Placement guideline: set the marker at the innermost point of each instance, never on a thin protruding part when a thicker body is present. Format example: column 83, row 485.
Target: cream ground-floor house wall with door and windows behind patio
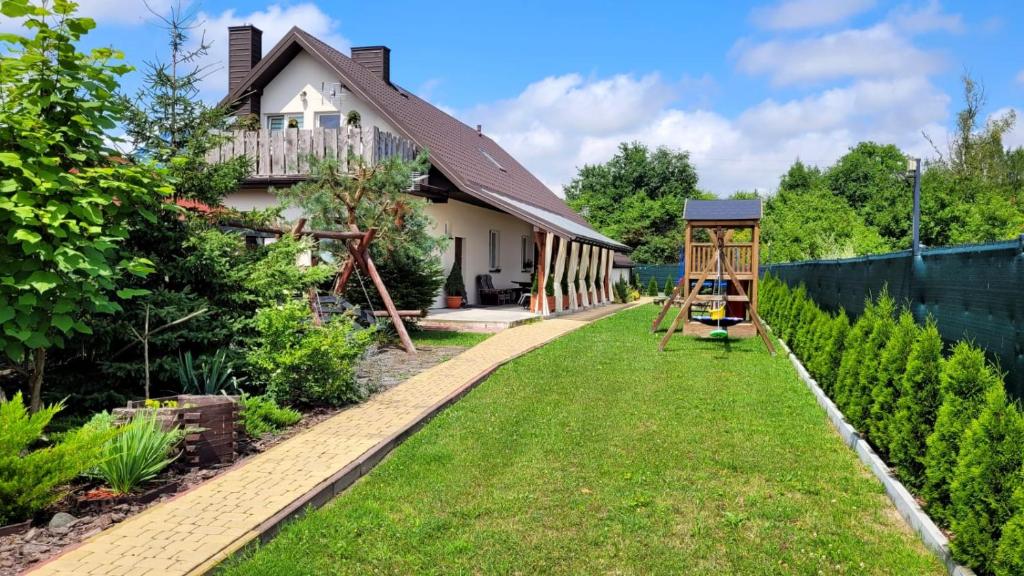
column 475, row 224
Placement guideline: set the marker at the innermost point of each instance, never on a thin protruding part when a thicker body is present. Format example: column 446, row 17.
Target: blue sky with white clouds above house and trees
column 747, row 88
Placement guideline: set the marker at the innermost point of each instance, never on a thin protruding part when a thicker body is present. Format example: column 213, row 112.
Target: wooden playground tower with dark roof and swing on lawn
column 734, row 298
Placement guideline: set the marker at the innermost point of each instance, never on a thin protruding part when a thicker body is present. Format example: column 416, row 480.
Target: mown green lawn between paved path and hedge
column 598, row 455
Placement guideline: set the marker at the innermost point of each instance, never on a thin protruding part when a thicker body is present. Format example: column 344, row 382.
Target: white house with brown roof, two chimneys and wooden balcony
column 309, row 98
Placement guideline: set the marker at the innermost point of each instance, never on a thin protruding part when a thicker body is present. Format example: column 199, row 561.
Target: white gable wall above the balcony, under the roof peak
column 304, row 74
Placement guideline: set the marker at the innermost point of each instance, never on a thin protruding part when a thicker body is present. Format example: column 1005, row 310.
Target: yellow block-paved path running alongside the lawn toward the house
column 195, row 531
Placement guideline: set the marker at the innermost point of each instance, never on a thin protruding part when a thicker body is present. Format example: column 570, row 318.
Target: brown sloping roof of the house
column 456, row 150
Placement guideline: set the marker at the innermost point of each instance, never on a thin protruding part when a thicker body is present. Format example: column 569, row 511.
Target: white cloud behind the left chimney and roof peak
column 275, row 21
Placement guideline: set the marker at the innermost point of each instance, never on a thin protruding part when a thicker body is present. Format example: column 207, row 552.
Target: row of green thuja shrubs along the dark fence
column 942, row 419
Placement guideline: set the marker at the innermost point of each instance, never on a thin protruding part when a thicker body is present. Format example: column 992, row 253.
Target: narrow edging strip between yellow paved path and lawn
column 347, row 477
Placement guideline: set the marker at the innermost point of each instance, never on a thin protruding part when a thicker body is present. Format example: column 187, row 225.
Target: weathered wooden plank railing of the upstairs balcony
column 284, row 154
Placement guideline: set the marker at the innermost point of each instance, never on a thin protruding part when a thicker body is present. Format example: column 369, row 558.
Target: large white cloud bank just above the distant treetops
column 746, row 152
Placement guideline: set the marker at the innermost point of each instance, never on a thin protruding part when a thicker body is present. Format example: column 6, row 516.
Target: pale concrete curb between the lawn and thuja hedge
column 909, row 509
